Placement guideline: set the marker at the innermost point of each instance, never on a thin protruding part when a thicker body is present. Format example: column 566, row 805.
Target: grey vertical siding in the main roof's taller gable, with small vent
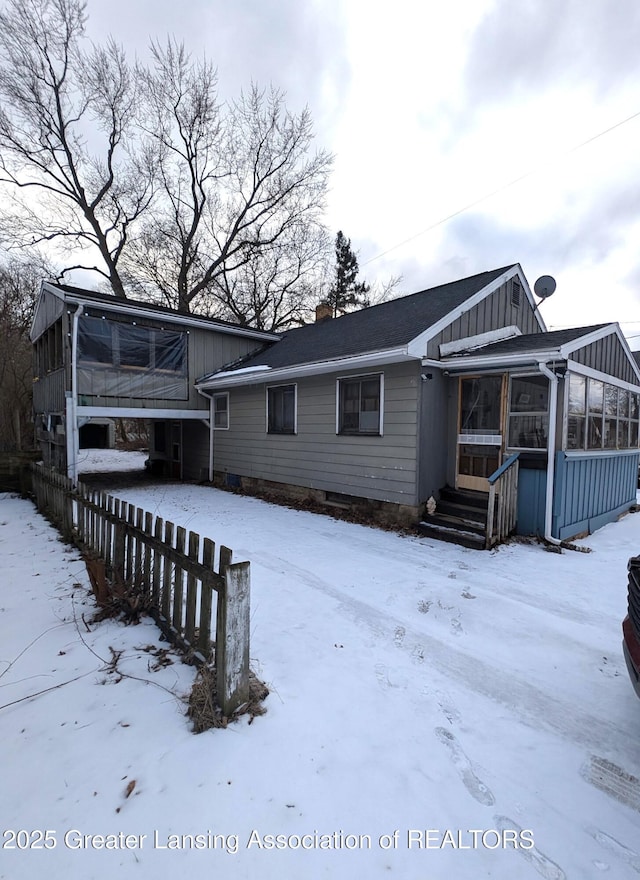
column 493, row 312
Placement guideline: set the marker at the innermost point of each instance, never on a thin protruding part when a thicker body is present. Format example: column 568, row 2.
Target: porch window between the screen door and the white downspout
column 529, row 412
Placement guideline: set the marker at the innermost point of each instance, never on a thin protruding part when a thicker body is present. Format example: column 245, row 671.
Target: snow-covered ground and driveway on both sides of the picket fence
column 435, row 712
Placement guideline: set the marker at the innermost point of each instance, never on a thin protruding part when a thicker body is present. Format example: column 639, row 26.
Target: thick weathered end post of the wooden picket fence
column 232, row 638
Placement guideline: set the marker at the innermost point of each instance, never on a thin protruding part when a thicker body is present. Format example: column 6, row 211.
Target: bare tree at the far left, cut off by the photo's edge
column 66, row 123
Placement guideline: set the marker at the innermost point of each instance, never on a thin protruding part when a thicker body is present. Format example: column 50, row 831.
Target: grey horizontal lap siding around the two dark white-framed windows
column 380, row 468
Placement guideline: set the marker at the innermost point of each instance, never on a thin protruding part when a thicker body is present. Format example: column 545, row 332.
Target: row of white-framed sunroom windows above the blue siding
column 601, row 415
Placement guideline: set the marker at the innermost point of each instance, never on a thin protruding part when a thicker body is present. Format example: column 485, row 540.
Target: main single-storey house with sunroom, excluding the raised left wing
column 428, row 398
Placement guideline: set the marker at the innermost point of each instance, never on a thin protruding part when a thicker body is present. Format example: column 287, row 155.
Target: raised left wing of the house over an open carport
column 97, row 358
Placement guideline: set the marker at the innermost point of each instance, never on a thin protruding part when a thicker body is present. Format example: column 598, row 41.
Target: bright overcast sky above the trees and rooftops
column 432, row 107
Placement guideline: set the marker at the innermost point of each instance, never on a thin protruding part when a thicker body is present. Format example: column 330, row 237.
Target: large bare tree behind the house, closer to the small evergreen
column 240, row 192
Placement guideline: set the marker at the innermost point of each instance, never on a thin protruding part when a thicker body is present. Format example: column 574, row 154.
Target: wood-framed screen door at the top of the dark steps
column 480, row 430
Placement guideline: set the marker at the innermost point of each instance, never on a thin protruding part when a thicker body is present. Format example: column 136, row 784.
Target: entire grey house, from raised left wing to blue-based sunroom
column 431, row 408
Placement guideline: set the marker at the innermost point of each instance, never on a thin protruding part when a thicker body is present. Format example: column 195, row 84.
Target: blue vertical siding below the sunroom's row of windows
column 592, row 490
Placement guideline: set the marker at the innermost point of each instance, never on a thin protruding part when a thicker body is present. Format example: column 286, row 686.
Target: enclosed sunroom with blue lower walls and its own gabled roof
column 564, row 406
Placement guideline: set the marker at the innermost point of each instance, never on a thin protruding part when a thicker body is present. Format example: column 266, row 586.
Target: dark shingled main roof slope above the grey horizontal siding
column 377, row 328
